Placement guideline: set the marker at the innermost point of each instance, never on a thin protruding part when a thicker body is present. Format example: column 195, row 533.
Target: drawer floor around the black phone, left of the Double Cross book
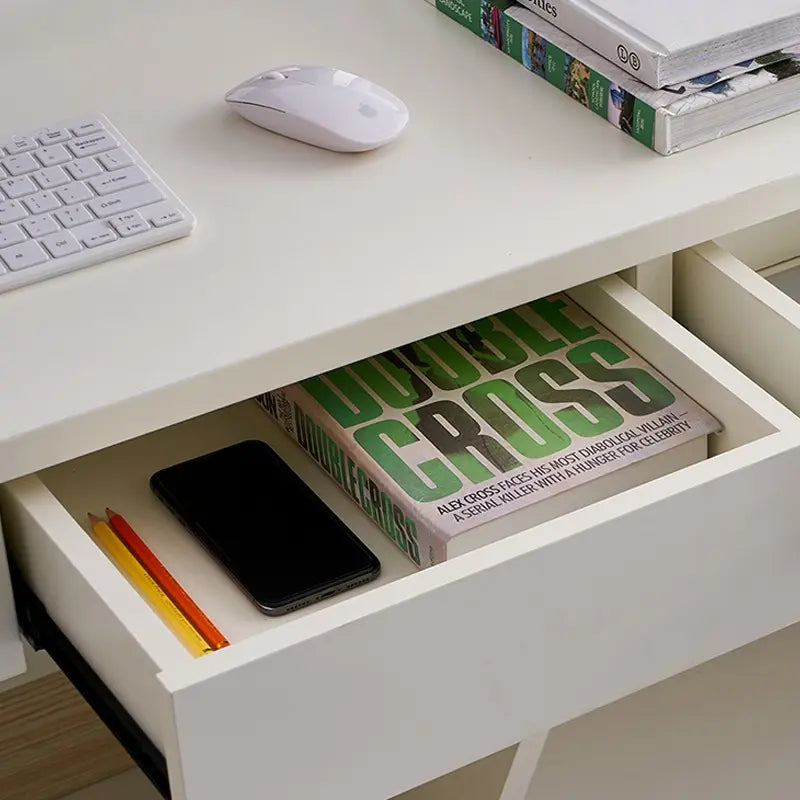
column 118, row 477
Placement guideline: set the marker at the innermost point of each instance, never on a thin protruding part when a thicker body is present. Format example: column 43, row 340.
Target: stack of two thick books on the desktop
column 672, row 75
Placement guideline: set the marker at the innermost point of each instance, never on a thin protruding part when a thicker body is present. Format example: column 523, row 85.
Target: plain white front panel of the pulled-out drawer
column 441, row 679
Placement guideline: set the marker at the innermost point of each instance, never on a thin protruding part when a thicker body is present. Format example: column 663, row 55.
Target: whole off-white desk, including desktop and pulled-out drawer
column 502, row 190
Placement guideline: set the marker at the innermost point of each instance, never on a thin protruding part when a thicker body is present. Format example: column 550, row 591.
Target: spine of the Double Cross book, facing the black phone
column 333, row 454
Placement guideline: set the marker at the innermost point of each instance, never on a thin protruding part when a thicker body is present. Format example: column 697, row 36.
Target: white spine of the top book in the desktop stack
column 637, row 58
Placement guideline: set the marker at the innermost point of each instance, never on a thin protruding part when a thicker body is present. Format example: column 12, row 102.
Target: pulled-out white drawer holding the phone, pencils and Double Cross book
column 381, row 689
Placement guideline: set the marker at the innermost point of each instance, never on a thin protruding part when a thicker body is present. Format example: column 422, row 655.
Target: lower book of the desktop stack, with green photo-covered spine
column 667, row 120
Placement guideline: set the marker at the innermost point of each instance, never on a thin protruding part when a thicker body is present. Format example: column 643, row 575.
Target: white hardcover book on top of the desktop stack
column 666, row 42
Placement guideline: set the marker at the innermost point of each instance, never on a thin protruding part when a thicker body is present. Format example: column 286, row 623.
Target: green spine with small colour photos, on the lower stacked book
column 590, row 88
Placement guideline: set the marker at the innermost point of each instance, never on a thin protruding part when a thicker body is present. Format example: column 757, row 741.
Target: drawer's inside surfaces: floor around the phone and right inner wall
column 118, row 476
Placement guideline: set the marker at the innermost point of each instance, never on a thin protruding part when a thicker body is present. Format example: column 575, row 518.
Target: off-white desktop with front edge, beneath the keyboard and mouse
column 501, row 190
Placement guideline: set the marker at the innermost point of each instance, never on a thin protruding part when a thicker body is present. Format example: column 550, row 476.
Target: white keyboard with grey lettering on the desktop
column 76, row 193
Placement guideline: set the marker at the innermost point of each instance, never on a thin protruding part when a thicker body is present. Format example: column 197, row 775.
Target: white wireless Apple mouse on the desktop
column 323, row 106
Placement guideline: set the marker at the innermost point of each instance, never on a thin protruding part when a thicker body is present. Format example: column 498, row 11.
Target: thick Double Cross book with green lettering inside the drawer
column 464, row 437
